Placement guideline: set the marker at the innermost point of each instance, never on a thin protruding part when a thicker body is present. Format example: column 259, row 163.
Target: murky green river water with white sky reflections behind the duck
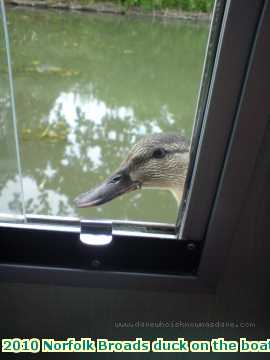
column 87, row 88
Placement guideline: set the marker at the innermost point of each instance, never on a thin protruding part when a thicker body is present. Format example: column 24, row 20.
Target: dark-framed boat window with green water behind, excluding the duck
column 42, row 235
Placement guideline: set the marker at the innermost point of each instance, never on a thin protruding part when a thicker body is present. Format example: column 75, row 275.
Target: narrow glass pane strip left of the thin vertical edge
column 11, row 196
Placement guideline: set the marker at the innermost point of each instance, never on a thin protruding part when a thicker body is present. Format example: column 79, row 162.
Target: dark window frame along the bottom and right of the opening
column 203, row 233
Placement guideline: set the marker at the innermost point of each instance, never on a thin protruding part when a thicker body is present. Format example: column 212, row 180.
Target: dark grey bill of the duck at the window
column 107, row 191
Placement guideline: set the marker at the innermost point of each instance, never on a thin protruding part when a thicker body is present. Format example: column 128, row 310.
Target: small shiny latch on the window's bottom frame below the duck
column 95, row 232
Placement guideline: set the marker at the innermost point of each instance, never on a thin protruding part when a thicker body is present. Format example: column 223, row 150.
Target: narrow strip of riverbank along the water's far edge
column 113, row 8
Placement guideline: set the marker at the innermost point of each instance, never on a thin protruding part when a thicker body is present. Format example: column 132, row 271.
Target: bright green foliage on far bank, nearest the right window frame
column 186, row 5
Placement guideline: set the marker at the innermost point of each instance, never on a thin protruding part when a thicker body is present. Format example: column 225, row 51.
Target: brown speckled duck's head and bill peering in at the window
column 157, row 161
